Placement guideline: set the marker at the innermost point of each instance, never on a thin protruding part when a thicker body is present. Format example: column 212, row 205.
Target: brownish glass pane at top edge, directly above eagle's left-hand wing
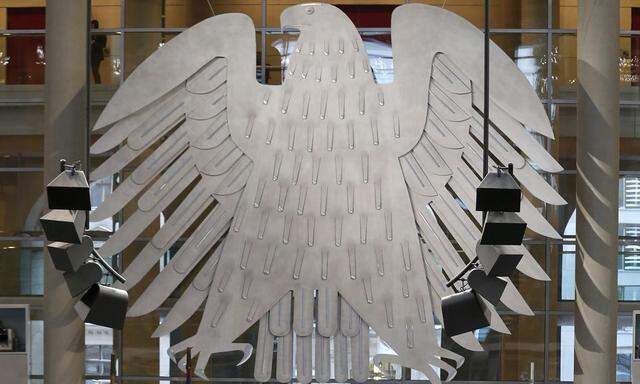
column 185, row 13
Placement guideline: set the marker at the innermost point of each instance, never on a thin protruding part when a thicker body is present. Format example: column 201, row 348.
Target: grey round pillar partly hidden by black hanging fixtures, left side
column 64, row 137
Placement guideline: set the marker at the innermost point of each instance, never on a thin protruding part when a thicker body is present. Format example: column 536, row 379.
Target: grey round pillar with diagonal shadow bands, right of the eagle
column 597, row 164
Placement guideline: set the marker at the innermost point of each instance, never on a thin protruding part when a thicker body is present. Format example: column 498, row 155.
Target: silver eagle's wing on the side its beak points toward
column 173, row 117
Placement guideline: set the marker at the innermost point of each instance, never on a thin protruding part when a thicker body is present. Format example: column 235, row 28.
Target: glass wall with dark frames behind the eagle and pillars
column 539, row 35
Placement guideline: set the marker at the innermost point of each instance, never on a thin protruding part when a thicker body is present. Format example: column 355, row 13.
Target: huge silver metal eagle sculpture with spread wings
column 336, row 204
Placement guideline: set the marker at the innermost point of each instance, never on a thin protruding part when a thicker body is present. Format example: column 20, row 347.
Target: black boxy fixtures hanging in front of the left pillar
column 73, row 253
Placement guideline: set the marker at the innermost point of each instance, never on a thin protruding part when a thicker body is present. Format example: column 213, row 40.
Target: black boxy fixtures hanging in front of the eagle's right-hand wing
column 497, row 255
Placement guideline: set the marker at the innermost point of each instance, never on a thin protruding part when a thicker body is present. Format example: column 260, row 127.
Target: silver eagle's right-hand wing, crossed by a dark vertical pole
column 443, row 74
